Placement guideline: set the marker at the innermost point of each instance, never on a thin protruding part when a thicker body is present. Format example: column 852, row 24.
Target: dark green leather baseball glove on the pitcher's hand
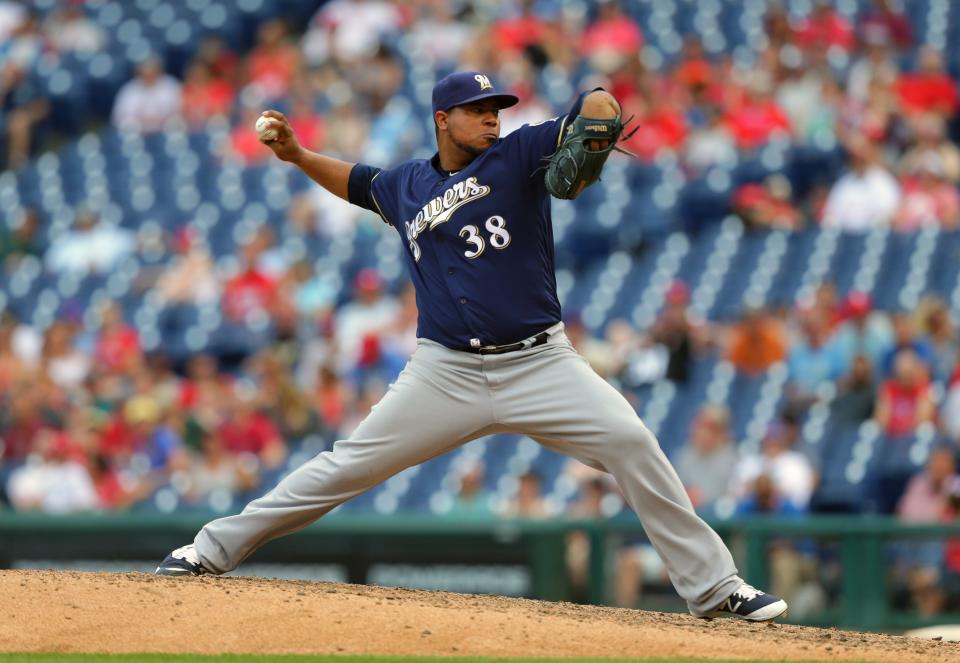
column 576, row 165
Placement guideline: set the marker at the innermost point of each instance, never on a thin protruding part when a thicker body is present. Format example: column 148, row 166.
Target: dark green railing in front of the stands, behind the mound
column 861, row 549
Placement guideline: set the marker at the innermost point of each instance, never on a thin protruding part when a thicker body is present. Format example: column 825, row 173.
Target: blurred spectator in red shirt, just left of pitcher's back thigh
column 246, row 430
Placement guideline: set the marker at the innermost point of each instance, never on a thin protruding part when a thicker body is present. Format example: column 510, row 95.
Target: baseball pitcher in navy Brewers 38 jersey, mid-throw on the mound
column 491, row 356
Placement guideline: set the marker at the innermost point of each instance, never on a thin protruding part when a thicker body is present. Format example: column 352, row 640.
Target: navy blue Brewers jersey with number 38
column 479, row 241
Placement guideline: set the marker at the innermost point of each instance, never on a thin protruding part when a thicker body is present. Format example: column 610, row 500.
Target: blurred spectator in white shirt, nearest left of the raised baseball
column 148, row 101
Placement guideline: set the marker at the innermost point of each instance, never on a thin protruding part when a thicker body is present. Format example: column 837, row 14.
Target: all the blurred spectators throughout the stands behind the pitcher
column 89, row 420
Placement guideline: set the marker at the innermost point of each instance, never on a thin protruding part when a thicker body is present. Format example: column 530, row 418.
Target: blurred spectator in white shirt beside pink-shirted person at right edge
column 867, row 196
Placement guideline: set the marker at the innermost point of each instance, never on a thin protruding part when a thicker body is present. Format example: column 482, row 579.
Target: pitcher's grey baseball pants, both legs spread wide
column 445, row 398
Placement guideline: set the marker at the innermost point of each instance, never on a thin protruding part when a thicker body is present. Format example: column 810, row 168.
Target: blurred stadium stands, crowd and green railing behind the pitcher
column 774, row 284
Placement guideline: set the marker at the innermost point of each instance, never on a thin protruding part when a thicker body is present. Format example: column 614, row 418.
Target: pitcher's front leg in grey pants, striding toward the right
column 581, row 415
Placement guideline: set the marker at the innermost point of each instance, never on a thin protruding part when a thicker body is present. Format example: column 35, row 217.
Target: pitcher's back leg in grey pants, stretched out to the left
column 420, row 417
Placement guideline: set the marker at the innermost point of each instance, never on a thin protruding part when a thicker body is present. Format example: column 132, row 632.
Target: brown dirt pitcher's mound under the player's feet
column 53, row 611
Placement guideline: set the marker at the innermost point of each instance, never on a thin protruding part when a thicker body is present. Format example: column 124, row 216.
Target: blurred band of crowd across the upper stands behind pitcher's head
column 819, row 80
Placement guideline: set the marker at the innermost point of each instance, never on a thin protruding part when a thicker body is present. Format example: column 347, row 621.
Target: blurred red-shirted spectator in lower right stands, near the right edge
column 905, row 399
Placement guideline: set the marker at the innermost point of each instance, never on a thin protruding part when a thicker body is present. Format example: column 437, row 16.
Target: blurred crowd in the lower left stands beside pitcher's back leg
column 94, row 408
